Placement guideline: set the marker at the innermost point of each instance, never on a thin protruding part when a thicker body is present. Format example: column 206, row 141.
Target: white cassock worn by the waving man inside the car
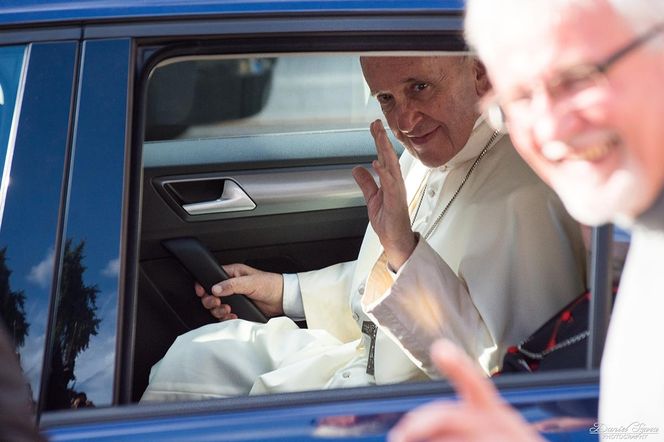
column 503, row 259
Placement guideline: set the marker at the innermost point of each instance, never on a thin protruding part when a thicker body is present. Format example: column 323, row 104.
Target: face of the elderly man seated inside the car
column 430, row 103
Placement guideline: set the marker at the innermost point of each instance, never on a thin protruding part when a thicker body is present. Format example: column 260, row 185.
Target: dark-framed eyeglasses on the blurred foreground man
column 568, row 86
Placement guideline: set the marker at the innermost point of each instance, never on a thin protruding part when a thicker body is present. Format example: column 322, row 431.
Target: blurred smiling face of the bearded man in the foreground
column 601, row 149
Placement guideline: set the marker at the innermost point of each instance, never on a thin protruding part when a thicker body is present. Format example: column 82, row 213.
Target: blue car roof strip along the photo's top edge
column 21, row 12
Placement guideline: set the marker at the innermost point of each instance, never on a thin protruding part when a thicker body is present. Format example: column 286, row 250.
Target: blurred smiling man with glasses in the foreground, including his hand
column 579, row 85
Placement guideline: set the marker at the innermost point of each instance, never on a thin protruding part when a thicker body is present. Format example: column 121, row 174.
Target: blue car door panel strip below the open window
column 369, row 420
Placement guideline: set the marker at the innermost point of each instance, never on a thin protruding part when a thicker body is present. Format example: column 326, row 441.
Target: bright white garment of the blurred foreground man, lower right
column 632, row 385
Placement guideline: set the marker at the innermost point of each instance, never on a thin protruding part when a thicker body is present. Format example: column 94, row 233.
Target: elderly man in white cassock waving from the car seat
column 465, row 242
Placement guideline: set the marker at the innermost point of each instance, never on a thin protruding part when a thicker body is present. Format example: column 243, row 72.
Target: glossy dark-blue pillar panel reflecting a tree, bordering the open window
column 85, row 321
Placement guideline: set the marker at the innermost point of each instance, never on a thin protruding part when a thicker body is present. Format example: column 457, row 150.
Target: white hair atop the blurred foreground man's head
column 484, row 18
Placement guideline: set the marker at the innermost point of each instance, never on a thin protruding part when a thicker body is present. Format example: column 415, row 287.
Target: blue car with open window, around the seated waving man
column 227, row 123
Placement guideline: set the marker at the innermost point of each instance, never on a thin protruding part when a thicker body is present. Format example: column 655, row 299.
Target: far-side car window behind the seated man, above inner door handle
column 259, row 95
